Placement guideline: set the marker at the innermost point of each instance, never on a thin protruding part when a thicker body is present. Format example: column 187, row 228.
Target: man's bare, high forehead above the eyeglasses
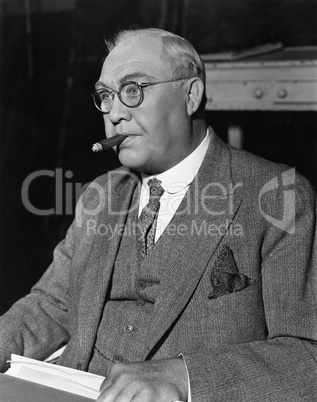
column 139, row 56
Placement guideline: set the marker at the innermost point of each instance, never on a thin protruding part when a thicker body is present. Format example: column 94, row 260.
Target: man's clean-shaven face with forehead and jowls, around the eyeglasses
column 159, row 131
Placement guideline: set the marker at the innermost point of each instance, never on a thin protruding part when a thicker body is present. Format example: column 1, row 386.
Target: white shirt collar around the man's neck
column 181, row 175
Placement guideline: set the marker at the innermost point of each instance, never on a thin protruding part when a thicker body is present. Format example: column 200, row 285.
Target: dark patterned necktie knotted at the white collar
column 147, row 220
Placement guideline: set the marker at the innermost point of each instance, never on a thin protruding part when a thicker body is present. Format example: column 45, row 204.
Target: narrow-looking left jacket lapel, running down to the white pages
column 102, row 258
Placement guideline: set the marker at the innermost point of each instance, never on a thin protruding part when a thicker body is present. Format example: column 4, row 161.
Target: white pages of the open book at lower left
column 59, row 377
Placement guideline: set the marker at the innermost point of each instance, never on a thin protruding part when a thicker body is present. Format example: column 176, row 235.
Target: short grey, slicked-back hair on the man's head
column 178, row 53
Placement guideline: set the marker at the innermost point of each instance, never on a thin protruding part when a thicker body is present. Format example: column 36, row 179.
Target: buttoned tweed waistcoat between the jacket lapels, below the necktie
column 130, row 301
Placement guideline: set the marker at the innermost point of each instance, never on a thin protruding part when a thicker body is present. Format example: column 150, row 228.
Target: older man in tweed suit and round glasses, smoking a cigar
column 191, row 271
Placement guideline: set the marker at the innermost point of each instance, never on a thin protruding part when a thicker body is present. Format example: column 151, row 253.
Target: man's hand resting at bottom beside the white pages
column 150, row 381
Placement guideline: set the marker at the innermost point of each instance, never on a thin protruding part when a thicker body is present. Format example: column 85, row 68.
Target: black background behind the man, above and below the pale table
column 50, row 59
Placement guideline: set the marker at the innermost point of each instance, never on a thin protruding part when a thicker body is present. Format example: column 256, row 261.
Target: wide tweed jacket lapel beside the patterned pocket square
column 210, row 205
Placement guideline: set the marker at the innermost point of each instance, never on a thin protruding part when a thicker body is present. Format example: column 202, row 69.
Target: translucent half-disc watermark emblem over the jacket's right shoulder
column 287, row 223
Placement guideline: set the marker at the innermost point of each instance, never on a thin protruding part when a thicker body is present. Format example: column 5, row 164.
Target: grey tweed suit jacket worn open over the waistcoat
column 238, row 291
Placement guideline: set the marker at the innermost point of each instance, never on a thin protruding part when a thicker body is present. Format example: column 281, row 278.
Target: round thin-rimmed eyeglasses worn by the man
column 130, row 94
